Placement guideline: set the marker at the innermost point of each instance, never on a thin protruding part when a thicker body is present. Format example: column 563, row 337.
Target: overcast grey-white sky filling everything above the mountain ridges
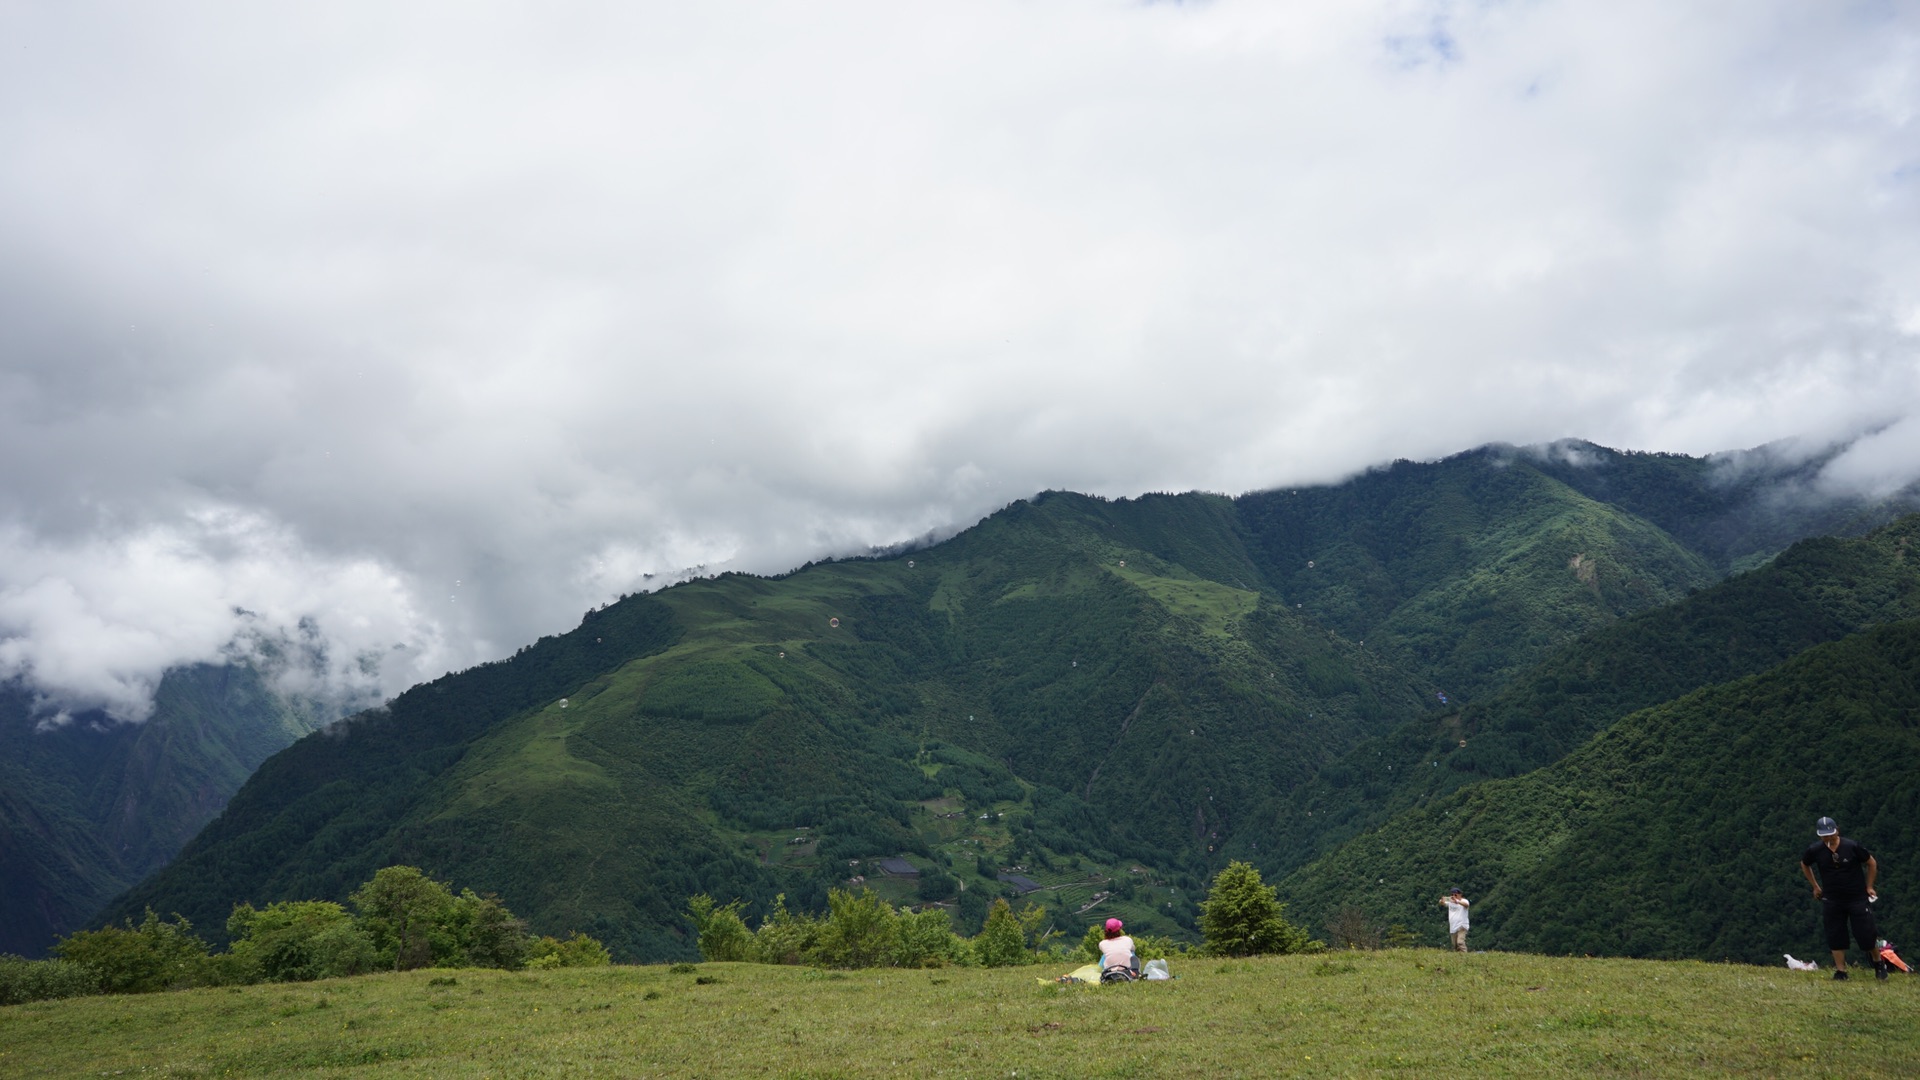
column 439, row 324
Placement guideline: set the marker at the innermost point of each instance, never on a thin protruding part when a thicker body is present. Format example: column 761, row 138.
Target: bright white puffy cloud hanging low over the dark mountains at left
column 93, row 624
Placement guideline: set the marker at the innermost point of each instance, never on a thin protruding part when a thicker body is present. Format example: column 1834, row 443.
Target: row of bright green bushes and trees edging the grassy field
column 404, row 920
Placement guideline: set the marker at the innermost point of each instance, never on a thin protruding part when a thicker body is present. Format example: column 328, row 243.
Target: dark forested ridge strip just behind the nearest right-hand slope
column 1819, row 591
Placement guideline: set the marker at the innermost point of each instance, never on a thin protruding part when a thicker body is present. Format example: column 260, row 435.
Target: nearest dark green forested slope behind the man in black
column 1677, row 831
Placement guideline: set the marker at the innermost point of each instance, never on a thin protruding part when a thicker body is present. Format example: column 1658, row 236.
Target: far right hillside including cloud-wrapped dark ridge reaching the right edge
column 1476, row 568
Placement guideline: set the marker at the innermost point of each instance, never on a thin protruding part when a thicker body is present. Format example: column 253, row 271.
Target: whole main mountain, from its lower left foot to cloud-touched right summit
column 1078, row 700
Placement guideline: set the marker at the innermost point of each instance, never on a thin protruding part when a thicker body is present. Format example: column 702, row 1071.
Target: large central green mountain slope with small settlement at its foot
column 1093, row 699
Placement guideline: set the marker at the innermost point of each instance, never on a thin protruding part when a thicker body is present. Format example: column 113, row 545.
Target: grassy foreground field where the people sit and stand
column 1341, row 1014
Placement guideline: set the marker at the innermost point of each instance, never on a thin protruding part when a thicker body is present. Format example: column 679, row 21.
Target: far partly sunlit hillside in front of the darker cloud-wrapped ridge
column 1466, row 570
